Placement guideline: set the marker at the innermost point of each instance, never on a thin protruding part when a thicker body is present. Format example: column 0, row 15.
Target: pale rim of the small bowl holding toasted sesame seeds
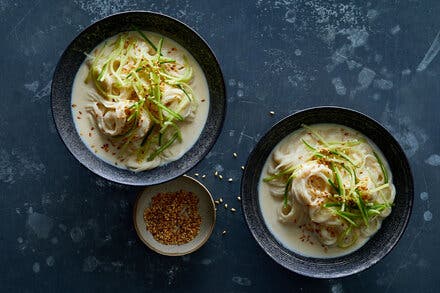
column 208, row 235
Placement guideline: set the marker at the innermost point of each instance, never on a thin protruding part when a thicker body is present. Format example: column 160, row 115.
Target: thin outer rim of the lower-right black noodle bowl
column 247, row 206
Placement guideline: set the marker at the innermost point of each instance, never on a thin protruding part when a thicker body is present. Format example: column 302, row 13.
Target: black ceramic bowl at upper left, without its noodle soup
column 74, row 56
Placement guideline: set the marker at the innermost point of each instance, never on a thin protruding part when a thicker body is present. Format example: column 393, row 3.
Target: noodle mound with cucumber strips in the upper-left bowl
column 142, row 96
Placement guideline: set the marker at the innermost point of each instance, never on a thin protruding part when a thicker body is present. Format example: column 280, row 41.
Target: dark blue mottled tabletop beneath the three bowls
column 64, row 229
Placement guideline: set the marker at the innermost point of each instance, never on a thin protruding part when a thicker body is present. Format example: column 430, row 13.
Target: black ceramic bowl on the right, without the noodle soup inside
column 392, row 227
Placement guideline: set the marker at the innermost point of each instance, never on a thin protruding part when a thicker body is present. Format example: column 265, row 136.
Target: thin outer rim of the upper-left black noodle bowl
column 177, row 174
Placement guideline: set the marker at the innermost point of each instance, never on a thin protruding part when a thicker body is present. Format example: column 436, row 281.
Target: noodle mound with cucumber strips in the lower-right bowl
column 332, row 183
